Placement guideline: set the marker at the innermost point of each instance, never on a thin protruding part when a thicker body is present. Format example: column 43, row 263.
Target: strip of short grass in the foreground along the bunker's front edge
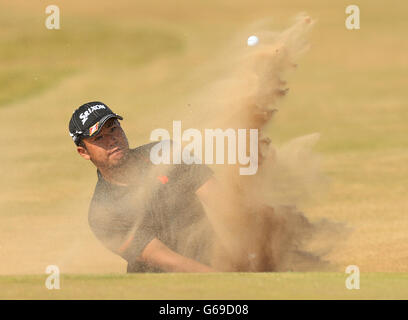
column 245, row 286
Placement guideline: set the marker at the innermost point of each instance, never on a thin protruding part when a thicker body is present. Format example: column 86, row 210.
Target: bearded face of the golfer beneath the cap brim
column 108, row 148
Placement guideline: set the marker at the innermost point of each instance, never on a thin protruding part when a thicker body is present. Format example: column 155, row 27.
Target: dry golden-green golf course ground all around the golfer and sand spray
column 146, row 59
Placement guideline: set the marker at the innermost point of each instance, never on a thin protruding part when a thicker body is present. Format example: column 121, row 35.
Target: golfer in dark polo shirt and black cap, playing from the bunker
column 150, row 215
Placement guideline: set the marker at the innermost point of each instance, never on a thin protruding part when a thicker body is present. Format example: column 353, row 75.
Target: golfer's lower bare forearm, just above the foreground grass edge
column 159, row 255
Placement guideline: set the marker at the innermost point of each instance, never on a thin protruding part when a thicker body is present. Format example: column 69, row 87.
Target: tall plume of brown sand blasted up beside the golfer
column 266, row 231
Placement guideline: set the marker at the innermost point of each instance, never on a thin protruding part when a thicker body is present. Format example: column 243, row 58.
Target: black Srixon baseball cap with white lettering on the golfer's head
column 89, row 119
